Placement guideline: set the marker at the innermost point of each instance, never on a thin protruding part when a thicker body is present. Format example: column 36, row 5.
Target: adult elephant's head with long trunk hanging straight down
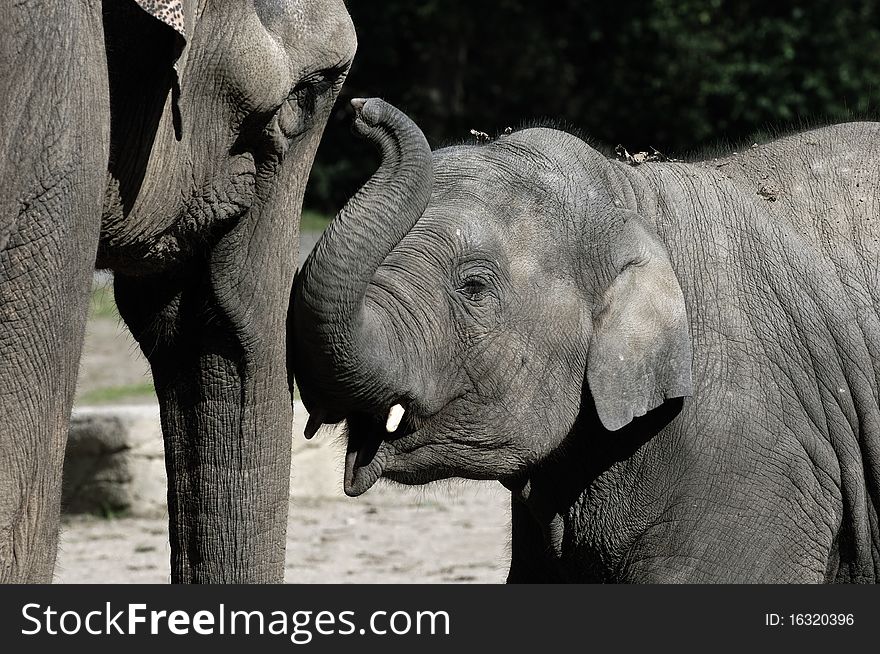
column 217, row 109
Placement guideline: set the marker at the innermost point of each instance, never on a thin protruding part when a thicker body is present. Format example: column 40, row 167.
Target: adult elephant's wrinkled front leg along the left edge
column 53, row 159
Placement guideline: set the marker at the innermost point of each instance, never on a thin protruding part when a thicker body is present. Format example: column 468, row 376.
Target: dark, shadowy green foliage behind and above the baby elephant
column 678, row 75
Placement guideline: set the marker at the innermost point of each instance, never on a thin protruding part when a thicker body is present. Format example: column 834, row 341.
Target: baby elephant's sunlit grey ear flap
column 640, row 350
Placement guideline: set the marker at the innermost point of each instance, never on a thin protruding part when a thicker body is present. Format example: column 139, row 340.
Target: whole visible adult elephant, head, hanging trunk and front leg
column 188, row 186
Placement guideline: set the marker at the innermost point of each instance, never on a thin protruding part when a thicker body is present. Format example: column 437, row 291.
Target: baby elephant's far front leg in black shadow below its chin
column 530, row 562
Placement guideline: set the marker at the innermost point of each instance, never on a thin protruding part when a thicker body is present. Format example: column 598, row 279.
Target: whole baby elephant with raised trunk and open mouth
column 674, row 367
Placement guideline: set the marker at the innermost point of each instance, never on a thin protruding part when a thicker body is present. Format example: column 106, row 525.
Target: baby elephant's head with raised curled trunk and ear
column 468, row 306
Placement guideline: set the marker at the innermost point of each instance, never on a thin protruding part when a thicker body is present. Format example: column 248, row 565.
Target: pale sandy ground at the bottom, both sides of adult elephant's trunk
column 395, row 536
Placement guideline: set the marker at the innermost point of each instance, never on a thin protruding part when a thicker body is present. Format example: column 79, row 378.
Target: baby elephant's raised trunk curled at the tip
column 328, row 308
